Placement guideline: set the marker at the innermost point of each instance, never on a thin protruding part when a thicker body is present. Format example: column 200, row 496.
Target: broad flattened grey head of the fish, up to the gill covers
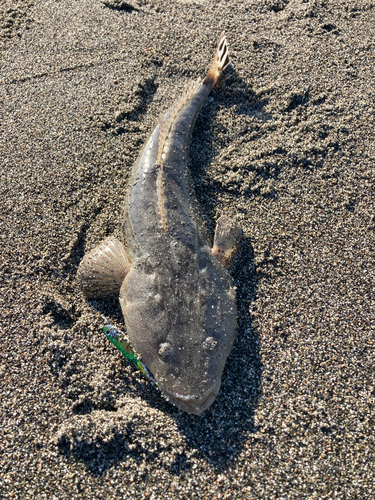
column 181, row 320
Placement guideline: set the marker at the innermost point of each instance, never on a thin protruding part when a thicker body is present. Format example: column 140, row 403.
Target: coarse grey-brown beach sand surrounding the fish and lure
column 287, row 144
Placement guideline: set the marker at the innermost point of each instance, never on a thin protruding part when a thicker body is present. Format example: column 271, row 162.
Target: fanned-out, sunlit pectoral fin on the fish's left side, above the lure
column 102, row 271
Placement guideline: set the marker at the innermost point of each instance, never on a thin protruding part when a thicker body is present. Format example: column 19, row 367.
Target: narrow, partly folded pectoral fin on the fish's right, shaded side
column 227, row 237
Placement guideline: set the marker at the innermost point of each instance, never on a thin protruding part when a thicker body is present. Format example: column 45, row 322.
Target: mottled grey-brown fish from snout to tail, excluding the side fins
column 178, row 301
